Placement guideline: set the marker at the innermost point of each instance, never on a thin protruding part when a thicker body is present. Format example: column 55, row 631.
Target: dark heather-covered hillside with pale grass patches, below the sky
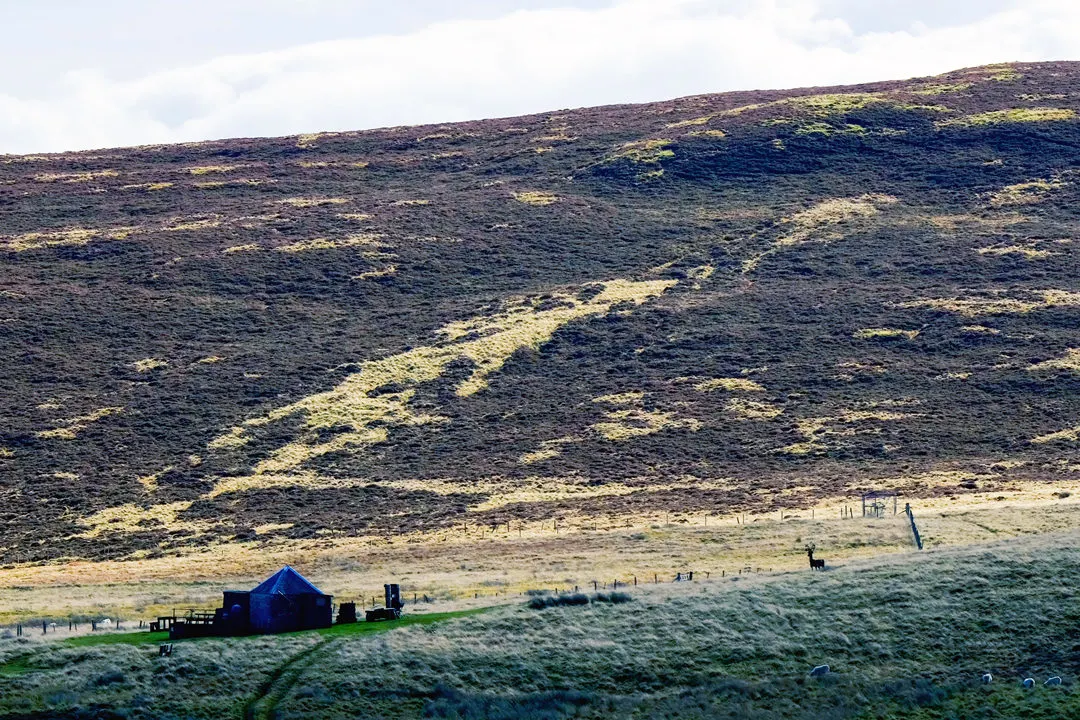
column 713, row 305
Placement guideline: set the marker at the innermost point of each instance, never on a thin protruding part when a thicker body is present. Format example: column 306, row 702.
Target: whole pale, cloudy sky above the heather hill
column 78, row 75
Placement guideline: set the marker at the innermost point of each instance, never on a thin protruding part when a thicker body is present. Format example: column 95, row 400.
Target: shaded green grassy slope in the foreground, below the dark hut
column 908, row 636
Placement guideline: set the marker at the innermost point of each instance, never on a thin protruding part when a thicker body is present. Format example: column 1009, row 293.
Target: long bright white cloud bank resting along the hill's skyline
column 523, row 62
